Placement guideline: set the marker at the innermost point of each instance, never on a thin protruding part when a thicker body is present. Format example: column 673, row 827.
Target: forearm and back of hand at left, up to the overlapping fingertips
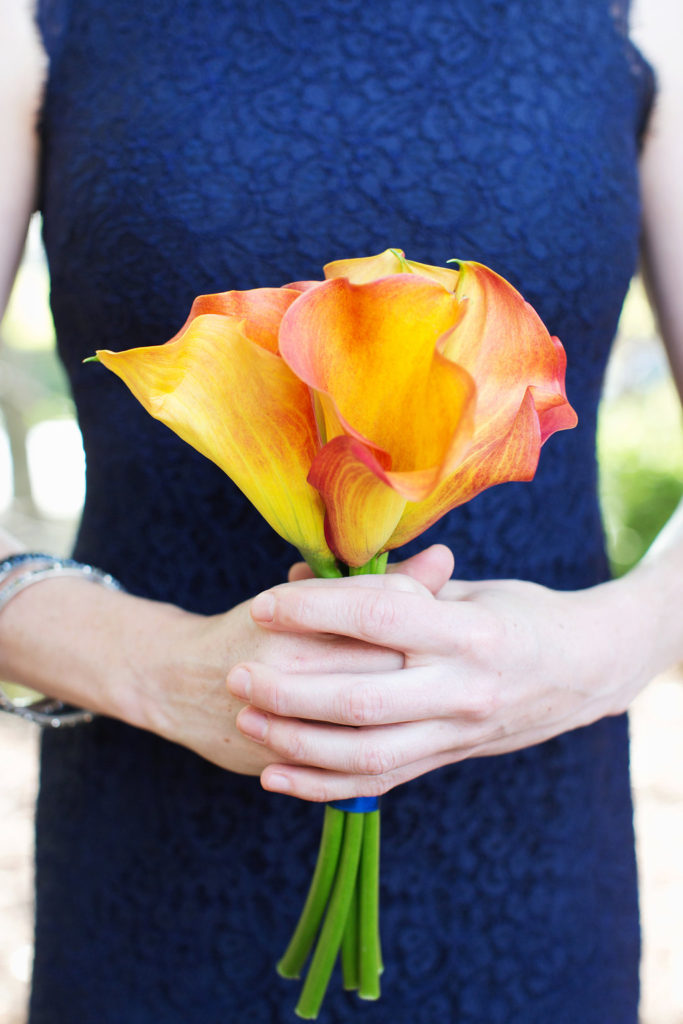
column 148, row 664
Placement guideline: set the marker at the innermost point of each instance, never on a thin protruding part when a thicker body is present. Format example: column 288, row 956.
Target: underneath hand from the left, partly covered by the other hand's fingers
column 183, row 694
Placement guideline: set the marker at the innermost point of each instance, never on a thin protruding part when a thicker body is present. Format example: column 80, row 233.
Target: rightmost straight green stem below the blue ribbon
column 370, row 958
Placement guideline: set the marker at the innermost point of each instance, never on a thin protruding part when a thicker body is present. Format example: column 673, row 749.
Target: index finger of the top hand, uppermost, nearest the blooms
column 381, row 615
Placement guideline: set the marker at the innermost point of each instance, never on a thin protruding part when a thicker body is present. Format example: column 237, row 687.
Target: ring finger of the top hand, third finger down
column 358, row 752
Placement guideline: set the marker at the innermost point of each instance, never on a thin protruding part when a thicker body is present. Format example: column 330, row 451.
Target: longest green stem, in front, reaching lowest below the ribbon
column 335, row 920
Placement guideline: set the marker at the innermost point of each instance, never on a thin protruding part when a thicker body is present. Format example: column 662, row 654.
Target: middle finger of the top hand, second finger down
column 374, row 699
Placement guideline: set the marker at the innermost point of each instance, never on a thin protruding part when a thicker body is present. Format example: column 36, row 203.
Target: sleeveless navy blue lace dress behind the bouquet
column 195, row 146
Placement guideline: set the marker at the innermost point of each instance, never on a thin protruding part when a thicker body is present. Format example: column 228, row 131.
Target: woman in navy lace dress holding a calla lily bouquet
column 188, row 150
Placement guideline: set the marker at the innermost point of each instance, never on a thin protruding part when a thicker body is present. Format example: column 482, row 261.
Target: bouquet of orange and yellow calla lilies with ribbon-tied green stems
column 354, row 413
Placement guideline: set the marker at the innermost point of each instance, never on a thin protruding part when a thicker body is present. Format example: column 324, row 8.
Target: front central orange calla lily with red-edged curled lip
column 397, row 415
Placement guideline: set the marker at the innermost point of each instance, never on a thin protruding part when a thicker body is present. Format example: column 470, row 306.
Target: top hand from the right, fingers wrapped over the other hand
column 487, row 668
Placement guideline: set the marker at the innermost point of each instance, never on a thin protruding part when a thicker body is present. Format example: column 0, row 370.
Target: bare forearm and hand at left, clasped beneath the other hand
column 163, row 669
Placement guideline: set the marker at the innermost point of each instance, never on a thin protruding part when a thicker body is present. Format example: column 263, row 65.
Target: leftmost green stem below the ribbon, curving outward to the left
column 324, row 876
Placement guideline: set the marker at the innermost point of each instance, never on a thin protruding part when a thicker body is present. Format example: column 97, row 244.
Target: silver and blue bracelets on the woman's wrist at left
column 47, row 711
